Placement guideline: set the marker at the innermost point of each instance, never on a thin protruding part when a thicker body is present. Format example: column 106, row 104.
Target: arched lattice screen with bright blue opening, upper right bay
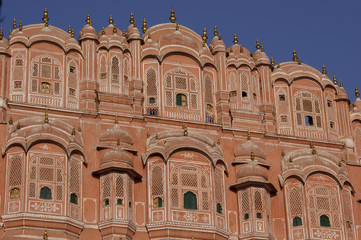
column 308, row 112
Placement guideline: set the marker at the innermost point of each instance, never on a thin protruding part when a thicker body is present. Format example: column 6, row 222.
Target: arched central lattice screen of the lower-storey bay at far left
column 47, row 171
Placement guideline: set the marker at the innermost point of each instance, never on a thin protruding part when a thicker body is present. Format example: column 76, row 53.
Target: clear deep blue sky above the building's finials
column 322, row 32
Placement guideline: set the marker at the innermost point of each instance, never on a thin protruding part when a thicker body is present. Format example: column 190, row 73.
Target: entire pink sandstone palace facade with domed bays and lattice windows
column 119, row 135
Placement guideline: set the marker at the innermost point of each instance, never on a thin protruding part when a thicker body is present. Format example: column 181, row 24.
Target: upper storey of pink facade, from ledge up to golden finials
column 170, row 72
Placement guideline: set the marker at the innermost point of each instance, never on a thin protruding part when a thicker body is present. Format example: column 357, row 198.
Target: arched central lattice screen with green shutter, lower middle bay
column 190, row 184
